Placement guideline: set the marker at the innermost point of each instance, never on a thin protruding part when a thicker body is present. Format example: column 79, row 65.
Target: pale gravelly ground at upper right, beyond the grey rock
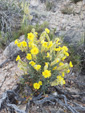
column 63, row 16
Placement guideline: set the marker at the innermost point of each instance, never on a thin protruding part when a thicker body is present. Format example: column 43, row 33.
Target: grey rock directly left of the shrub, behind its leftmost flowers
column 12, row 49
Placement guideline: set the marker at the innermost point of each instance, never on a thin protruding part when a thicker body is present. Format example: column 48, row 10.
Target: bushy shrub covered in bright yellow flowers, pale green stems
column 45, row 60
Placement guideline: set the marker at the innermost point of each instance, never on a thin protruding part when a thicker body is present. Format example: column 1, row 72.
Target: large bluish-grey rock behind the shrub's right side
column 74, row 38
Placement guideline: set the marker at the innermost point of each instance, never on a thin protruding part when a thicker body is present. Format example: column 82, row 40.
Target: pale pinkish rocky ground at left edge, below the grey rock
column 8, row 74
